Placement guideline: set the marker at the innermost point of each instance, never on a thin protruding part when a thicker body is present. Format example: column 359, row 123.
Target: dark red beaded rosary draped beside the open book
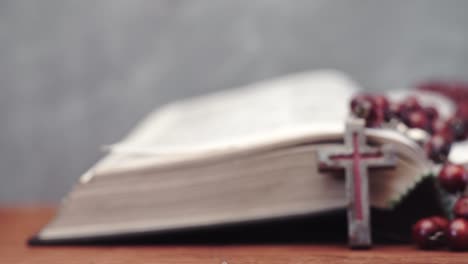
column 439, row 135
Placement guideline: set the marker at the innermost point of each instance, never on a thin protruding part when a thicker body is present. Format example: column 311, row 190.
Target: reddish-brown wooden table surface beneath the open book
column 18, row 224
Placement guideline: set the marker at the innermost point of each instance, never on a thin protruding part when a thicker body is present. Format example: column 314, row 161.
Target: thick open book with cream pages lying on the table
column 238, row 156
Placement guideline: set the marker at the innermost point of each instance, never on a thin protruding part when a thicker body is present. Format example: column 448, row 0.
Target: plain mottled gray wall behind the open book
column 76, row 74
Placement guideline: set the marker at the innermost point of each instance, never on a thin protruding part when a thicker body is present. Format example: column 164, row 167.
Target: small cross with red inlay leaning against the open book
column 355, row 157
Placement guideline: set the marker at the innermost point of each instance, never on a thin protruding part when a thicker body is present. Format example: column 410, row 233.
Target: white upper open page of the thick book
column 307, row 102
